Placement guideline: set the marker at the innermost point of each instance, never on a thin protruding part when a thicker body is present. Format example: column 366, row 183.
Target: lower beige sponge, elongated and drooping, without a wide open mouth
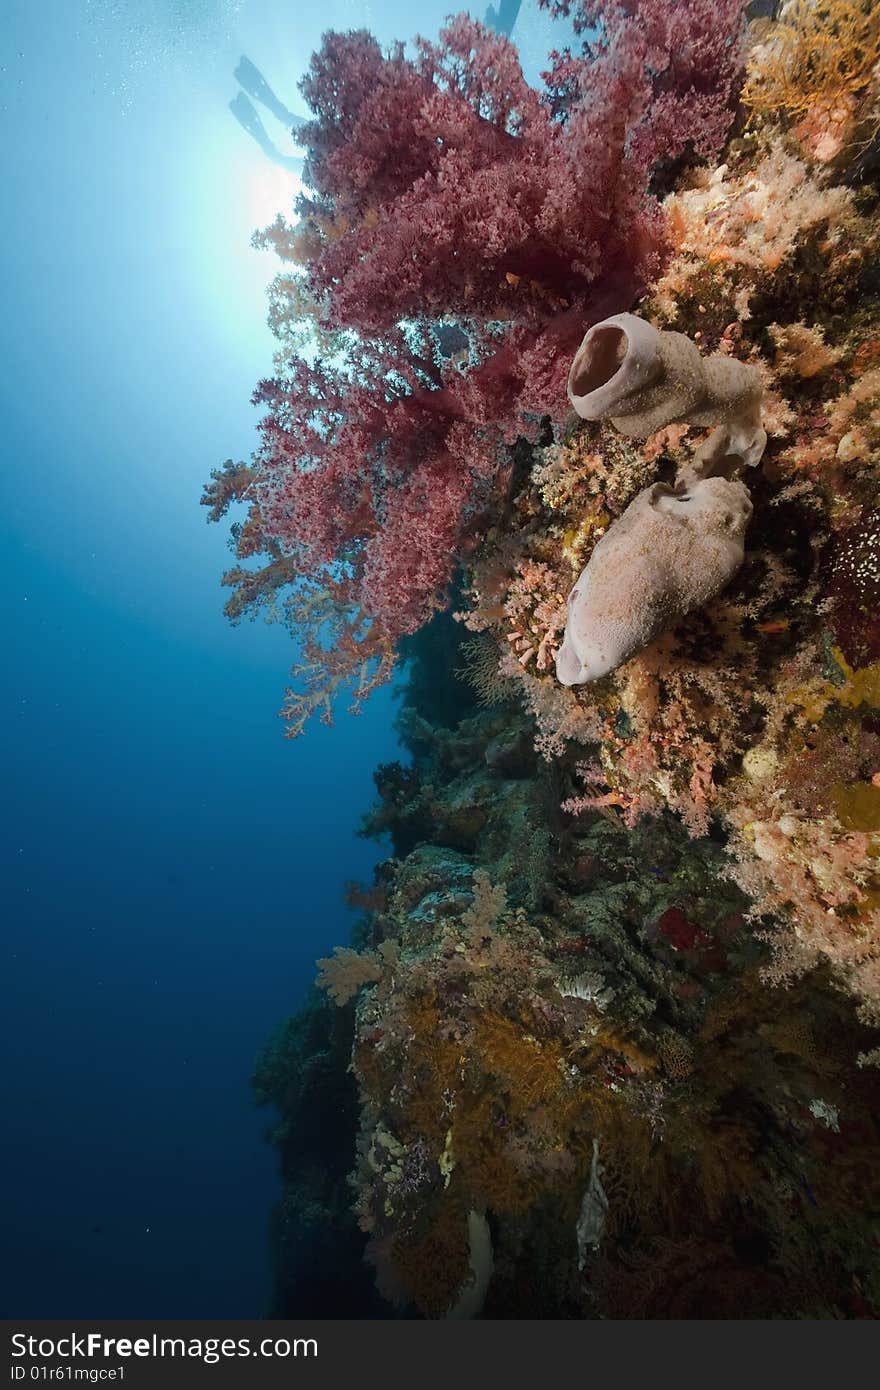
column 669, row 554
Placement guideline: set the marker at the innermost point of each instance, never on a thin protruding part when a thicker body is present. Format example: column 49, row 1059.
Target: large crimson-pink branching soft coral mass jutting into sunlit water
column 458, row 234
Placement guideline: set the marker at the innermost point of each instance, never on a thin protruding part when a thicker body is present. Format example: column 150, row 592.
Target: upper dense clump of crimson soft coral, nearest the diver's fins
column 498, row 212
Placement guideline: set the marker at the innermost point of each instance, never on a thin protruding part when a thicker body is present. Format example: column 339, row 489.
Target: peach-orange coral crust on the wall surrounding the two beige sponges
column 724, row 693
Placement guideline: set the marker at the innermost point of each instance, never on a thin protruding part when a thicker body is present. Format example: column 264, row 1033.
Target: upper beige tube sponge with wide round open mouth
column 642, row 379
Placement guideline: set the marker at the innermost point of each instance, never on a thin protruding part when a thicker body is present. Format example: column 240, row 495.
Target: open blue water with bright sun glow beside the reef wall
column 172, row 867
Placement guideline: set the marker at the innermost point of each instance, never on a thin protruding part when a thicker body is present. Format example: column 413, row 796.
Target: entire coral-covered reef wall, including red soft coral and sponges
column 605, row 1039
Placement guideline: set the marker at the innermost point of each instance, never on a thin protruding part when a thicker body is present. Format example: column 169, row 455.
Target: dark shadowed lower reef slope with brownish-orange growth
column 561, row 1028
